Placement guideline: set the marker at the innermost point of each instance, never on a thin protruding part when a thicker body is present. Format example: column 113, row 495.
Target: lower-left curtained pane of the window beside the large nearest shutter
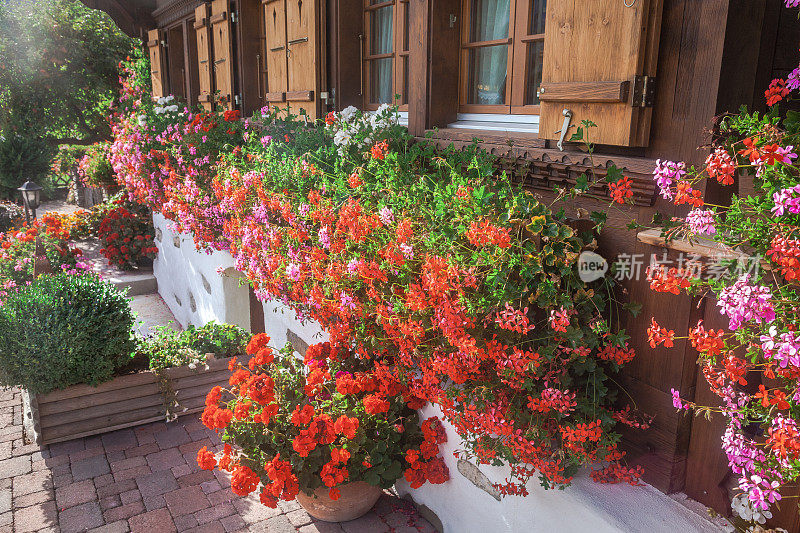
column 487, row 75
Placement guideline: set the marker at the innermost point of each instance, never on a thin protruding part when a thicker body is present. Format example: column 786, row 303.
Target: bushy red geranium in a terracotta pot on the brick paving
column 331, row 430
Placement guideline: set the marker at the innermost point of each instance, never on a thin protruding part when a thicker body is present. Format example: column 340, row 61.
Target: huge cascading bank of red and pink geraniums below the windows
column 449, row 280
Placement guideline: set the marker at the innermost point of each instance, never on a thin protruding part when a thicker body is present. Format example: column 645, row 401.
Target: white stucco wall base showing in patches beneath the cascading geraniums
column 461, row 506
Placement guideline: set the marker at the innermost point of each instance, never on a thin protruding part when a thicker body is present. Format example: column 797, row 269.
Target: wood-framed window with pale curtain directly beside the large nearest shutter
column 501, row 56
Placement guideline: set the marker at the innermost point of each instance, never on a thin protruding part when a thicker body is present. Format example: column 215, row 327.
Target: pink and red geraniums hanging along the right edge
column 754, row 364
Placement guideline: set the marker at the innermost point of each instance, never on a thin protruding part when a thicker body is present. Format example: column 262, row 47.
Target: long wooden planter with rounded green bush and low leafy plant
column 67, row 341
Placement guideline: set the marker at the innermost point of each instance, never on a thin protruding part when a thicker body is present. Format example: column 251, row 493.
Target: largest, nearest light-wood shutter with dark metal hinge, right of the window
column 600, row 63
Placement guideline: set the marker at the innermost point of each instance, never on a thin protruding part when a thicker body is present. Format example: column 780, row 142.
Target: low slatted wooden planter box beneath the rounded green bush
column 125, row 401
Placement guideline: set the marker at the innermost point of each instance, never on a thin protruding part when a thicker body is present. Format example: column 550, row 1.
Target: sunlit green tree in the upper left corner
column 58, row 80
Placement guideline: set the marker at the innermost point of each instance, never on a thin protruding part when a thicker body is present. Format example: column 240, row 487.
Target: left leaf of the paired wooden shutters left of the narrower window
column 275, row 51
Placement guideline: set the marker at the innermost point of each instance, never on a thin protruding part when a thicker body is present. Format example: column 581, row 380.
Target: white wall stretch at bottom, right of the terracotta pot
column 585, row 506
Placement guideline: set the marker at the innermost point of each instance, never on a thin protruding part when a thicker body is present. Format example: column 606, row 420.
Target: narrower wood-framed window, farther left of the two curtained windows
column 385, row 48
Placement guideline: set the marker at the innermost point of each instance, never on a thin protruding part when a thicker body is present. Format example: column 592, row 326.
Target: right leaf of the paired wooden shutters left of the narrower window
column 305, row 68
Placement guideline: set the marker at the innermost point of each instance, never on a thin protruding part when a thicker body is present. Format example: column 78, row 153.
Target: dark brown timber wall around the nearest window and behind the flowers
column 748, row 45
